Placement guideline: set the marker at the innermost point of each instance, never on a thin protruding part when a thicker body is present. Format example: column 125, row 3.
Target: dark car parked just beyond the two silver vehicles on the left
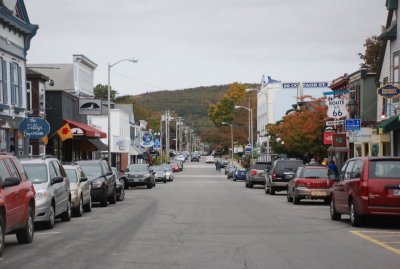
column 102, row 179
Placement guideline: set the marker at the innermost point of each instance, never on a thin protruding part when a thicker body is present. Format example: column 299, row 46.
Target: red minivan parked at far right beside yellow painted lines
column 367, row 186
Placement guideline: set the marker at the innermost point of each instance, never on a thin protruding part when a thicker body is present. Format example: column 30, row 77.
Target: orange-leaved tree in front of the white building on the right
column 300, row 131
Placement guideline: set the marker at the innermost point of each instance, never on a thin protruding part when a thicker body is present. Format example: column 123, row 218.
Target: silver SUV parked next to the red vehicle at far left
column 52, row 186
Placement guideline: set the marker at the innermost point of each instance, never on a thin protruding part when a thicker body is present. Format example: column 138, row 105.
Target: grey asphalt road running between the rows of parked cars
column 203, row 220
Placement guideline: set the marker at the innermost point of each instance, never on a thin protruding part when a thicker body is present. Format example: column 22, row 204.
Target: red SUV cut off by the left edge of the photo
column 17, row 201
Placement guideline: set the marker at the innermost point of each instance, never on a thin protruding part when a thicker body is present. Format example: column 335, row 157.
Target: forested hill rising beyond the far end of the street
column 191, row 104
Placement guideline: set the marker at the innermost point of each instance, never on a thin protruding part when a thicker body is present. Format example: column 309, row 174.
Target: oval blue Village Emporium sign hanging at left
column 34, row 127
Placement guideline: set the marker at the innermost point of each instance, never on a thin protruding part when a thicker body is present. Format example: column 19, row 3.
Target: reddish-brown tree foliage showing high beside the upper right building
column 371, row 56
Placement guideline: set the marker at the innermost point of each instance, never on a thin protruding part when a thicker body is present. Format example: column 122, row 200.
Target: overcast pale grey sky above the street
column 189, row 43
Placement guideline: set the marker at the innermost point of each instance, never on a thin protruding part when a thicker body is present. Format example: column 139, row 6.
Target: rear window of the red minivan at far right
column 384, row 169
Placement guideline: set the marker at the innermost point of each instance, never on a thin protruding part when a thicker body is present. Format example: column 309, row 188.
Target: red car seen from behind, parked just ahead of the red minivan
column 311, row 182
